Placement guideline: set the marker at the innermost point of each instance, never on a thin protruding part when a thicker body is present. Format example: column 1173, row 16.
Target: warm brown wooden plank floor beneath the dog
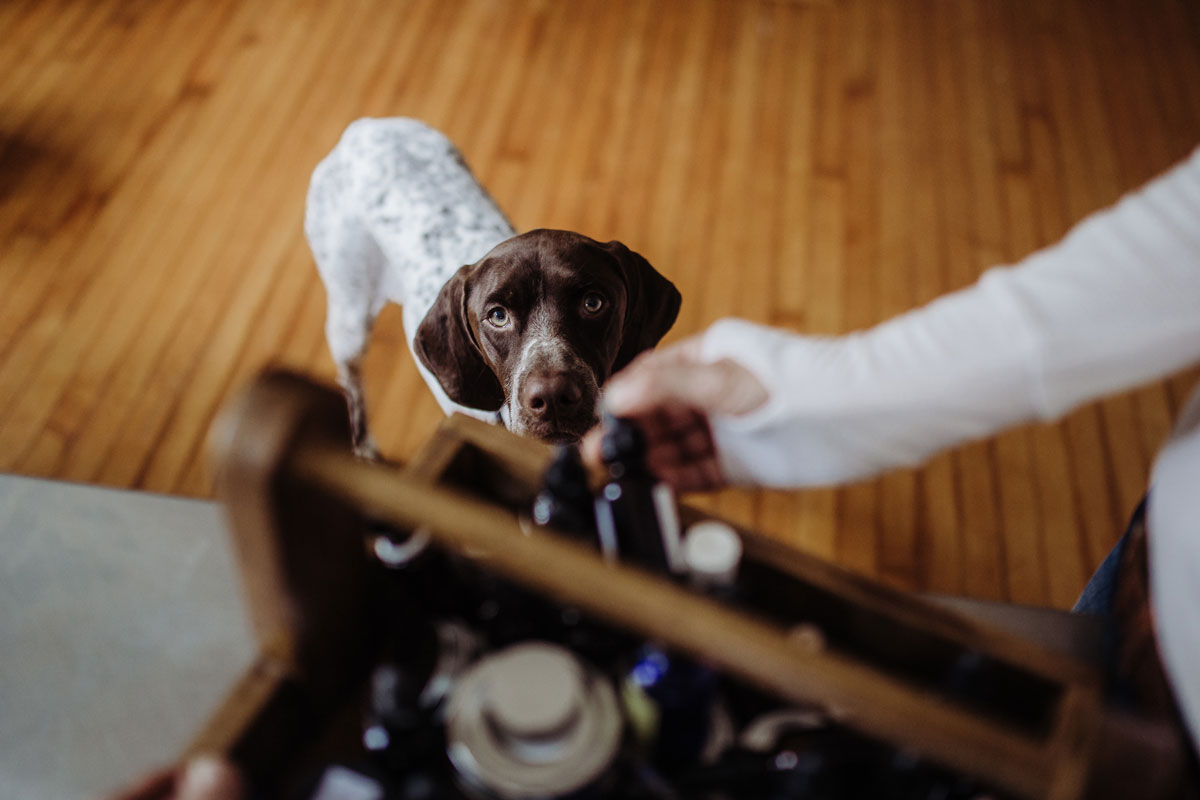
column 821, row 166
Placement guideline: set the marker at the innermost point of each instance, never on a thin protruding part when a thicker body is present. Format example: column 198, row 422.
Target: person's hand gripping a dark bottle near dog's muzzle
column 671, row 394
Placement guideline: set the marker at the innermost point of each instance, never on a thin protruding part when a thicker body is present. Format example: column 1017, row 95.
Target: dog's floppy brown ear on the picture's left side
column 447, row 346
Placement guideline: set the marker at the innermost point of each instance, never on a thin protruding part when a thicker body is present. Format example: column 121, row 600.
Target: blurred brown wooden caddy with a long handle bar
column 880, row 661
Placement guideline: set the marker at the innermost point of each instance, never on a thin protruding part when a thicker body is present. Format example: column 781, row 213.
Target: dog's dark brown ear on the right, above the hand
column 651, row 308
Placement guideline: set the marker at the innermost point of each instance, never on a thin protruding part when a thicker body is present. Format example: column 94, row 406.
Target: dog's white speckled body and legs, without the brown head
column 393, row 193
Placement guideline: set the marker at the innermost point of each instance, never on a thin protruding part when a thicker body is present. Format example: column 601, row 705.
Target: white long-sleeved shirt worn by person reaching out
column 1114, row 305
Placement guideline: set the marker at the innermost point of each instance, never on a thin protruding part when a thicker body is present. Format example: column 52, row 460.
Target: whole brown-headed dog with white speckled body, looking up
column 520, row 330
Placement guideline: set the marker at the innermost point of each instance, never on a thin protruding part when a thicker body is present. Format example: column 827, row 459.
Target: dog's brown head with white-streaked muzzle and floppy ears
column 539, row 324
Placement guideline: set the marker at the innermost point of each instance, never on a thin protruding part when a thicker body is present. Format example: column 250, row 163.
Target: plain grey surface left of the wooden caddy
column 122, row 627
